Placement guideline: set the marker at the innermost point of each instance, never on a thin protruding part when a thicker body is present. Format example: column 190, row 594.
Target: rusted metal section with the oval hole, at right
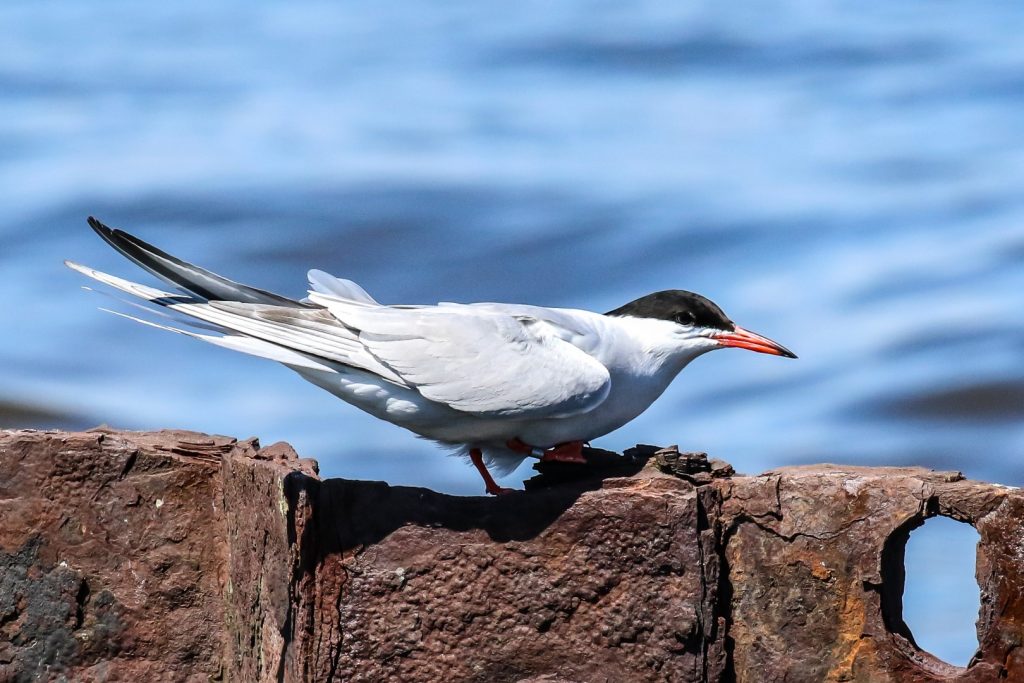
column 816, row 565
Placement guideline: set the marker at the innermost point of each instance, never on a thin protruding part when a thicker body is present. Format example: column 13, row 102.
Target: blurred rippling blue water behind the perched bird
column 844, row 179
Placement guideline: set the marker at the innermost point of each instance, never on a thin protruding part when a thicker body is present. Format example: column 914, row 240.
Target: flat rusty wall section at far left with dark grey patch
column 111, row 558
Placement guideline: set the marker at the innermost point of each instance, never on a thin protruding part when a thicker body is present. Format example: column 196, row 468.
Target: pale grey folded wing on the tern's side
column 481, row 362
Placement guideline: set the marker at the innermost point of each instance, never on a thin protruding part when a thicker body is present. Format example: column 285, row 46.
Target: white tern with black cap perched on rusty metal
column 498, row 382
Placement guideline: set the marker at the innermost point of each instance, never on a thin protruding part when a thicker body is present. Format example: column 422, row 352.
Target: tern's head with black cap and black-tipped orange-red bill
column 697, row 324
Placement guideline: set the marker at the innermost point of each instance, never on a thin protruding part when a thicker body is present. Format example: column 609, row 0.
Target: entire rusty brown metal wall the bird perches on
column 175, row 557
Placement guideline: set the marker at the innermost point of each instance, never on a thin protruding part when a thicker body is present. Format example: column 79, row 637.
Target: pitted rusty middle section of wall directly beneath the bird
column 603, row 585
